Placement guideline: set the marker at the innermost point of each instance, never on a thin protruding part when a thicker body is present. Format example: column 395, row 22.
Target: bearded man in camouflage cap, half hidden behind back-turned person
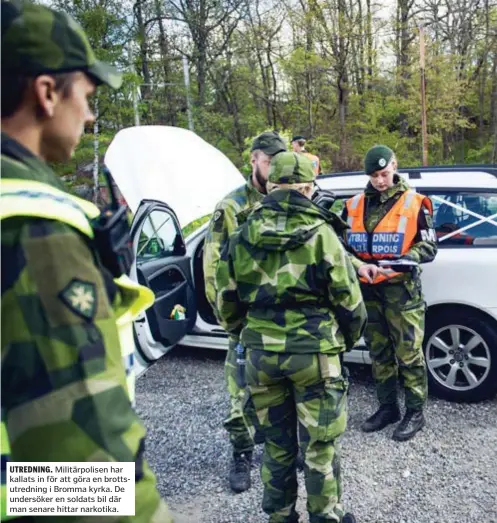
column 224, row 221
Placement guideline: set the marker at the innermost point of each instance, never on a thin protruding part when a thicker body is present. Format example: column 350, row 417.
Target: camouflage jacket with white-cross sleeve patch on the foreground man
column 64, row 394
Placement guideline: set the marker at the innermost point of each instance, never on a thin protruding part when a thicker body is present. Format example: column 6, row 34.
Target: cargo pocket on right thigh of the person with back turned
column 333, row 414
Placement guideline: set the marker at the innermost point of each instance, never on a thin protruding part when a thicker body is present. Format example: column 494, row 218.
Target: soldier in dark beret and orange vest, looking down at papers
column 396, row 308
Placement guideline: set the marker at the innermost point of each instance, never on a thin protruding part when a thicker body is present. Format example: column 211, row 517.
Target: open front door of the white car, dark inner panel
column 163, row 266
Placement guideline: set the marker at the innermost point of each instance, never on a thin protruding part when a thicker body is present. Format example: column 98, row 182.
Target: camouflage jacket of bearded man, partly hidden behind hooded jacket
column 224, row 221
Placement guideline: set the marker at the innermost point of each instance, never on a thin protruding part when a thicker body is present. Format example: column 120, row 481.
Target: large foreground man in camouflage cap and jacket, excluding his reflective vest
column 64, row 393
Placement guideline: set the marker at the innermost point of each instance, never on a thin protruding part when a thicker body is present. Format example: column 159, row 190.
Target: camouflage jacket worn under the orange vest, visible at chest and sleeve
column 377, row 205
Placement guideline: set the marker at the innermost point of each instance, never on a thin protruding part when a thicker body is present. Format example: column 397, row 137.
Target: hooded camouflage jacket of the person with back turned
column 286, row 282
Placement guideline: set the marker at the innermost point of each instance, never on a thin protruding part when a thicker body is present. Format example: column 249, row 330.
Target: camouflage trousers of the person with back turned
column 304, row 393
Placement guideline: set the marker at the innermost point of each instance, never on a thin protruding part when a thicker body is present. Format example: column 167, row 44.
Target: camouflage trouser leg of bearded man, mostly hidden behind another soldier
column 235, row 423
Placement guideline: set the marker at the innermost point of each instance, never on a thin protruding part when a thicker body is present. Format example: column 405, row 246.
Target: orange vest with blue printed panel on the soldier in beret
column 394, row 234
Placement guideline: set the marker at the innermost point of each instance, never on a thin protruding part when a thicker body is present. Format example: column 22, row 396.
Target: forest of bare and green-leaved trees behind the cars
column 344, row 73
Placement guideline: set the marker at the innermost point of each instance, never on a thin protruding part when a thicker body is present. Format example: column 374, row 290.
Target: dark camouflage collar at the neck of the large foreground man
column 37, row 169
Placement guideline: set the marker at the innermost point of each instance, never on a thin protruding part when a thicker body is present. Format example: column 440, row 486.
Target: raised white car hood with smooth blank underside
column 171, row 165
